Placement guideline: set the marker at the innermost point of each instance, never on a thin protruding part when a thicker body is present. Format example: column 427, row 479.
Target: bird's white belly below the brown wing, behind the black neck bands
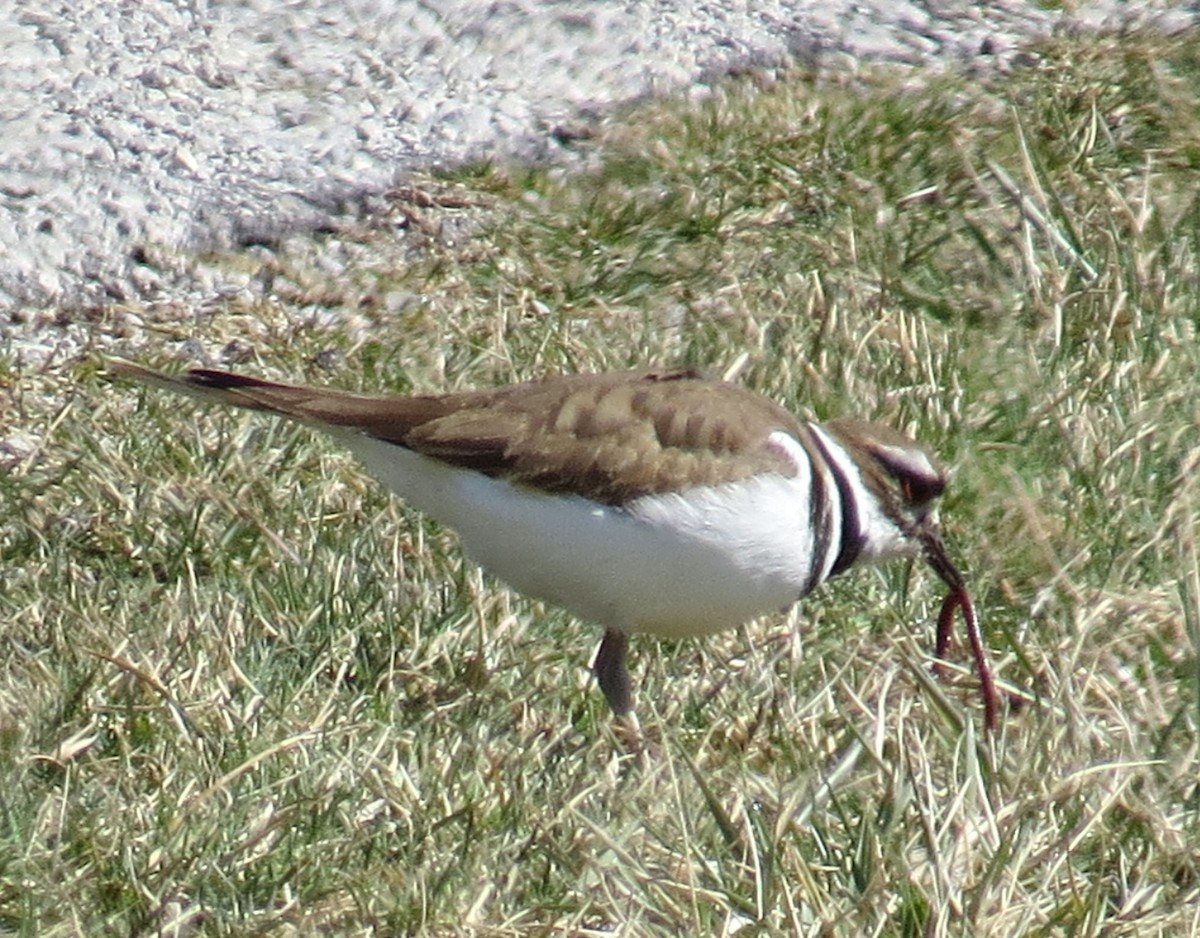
column 675, row 566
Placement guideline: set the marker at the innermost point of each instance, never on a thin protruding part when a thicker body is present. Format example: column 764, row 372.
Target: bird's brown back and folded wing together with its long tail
column 609, row 437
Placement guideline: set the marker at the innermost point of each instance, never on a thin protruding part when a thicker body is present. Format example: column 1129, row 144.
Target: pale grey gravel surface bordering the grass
column 141, row 133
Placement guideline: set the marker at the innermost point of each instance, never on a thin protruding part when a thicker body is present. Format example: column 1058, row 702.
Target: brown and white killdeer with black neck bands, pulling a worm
column 646, row 502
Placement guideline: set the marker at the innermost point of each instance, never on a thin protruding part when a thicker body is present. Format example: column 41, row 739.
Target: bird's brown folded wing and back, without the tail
column 613, row 437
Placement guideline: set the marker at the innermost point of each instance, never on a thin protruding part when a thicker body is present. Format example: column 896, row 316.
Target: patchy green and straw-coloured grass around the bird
column 244, row 693
